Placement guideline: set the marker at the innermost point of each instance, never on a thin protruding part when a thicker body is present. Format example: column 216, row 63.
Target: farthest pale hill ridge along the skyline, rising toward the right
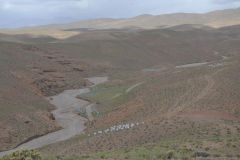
column 214, row 19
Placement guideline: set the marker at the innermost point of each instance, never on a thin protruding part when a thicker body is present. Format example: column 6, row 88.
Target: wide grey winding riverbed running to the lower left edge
column 72, row 124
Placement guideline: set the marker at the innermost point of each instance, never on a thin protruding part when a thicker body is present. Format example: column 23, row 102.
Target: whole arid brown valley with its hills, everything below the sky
column 148, row 87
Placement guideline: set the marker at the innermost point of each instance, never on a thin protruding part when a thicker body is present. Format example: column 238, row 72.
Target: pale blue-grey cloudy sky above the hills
column 19, row 13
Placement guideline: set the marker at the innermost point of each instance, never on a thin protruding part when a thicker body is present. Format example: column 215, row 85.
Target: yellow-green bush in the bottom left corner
column 23, row 155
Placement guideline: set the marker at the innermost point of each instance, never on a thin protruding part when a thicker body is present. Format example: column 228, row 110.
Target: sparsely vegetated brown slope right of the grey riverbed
column 186, row 111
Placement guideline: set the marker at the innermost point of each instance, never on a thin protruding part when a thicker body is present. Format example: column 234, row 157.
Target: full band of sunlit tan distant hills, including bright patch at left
column 177, row 21
